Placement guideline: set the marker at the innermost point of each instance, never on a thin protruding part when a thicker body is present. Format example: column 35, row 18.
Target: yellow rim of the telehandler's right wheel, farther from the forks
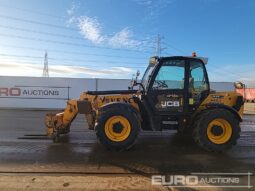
column 219, row 131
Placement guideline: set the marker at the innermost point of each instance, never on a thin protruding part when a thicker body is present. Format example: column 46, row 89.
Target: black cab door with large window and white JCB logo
column 168, row 92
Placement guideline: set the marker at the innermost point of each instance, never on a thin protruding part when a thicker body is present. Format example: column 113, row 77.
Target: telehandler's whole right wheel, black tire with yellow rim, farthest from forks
column 216, row 130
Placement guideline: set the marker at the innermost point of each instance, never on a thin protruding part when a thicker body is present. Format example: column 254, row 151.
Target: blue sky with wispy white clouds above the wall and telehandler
column 113, row 38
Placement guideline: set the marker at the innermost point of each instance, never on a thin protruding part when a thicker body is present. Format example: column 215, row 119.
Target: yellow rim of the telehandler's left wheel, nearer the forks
column 117, row 128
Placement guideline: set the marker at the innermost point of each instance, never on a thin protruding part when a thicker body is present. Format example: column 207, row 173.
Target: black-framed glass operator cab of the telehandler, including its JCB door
column 175, row 87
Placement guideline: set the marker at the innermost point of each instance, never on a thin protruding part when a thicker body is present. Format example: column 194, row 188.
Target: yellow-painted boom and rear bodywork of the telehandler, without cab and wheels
column 95, row 102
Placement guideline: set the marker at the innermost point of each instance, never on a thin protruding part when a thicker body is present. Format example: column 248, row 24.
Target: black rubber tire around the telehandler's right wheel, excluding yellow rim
column 201, row 125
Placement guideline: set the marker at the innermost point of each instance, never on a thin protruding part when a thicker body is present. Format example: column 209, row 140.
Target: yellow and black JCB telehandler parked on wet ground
column 174, row 93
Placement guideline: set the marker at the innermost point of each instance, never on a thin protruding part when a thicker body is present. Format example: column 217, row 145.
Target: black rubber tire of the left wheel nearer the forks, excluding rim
column 118, row 109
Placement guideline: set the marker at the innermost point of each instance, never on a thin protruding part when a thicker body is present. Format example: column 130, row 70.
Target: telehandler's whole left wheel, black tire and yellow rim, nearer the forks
column 118, row 126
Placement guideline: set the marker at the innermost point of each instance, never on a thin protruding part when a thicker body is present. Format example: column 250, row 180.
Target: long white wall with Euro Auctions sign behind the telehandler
column 52, row 93
